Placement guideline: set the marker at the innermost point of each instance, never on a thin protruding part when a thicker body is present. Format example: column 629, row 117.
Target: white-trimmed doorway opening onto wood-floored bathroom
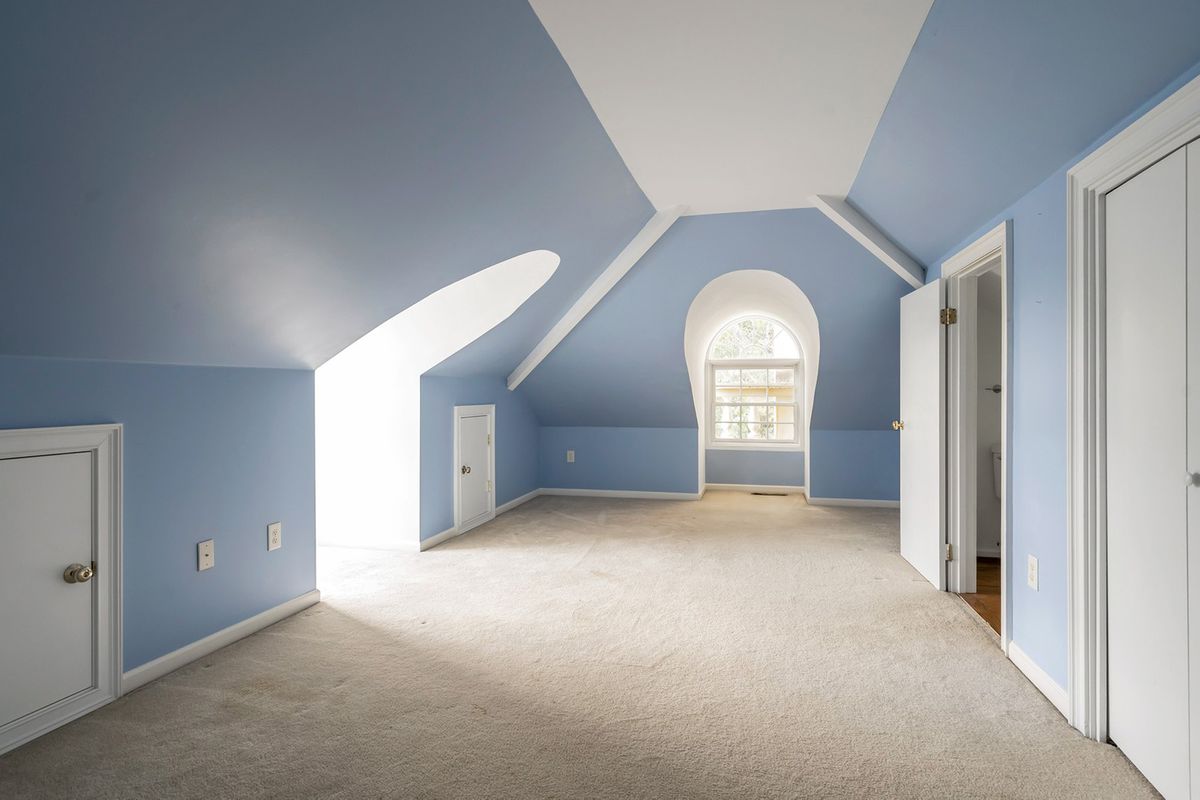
column 977, row 383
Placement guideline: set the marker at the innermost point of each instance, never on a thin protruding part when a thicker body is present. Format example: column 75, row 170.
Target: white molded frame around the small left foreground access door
column 104, row 443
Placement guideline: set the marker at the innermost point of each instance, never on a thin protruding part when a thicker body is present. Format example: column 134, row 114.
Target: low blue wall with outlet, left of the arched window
column 644, row 460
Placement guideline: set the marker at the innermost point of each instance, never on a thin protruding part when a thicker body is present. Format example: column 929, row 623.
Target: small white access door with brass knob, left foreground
column 47, row 643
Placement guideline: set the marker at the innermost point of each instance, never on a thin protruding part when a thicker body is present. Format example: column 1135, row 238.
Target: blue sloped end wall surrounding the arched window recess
column 623, row 365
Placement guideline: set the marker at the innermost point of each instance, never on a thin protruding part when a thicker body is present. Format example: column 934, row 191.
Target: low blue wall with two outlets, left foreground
column 209, row 454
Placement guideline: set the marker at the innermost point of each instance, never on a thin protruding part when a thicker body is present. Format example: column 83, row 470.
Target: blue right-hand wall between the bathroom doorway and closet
column 1039, row 448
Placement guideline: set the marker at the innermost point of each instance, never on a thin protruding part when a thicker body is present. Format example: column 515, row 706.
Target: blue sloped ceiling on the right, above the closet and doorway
column 997, row 97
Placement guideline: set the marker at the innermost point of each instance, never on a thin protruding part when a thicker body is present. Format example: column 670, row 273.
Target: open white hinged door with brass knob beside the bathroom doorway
column 922, row 438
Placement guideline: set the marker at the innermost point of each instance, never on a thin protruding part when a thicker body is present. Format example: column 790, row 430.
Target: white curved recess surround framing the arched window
column 749, row 293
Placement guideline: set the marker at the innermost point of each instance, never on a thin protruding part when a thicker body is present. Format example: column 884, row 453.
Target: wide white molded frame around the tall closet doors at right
column 1163, row 130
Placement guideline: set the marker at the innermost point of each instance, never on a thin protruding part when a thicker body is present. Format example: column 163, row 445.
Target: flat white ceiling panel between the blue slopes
column 737, row 105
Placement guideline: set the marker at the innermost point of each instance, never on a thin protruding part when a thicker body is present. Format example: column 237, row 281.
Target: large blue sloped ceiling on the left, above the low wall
column 260, row 184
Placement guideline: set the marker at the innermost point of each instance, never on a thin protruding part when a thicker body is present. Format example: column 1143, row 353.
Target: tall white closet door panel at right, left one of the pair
column 1148, row 466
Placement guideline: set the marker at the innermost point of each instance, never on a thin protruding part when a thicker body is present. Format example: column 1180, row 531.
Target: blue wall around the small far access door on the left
column 517, row 444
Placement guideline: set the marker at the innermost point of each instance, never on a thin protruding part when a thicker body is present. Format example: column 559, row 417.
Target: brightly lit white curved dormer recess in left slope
column 369, row 402
